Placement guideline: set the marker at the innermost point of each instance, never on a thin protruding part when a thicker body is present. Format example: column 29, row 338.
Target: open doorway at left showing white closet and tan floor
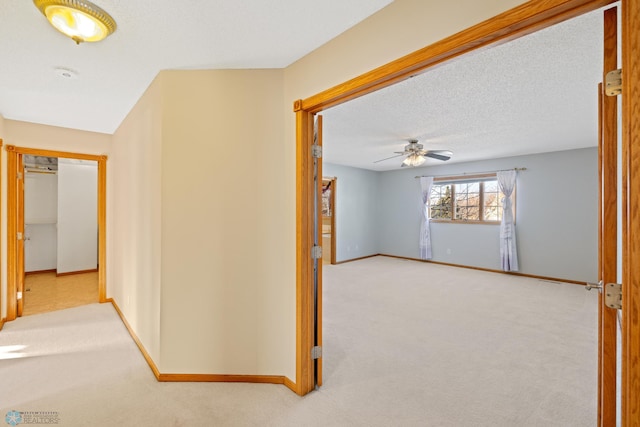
column 60, row 233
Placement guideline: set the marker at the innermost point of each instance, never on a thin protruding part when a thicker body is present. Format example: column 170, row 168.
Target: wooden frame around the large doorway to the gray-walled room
column 519, row 21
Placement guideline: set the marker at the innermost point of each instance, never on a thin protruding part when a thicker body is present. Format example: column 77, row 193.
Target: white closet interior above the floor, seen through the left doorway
column 60, row 214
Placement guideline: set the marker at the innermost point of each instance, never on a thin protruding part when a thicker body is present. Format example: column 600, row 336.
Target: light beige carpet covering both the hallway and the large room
column 406, row 344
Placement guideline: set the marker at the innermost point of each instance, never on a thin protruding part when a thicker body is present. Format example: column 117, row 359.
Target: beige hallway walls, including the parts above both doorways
column 201, row 193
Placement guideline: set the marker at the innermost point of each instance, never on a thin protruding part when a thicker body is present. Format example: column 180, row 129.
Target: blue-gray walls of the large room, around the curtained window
column 556, row 215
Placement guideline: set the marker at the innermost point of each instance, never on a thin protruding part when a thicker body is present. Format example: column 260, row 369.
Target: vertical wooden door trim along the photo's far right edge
column 631, row 213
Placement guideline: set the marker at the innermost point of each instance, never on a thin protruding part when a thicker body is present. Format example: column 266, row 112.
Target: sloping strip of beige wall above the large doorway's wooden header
column 397, row 30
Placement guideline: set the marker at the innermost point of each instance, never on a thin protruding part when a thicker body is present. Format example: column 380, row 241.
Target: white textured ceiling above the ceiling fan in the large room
column 535, row 94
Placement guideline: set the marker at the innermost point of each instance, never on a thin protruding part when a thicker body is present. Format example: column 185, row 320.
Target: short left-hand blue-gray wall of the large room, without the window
column 356, row 211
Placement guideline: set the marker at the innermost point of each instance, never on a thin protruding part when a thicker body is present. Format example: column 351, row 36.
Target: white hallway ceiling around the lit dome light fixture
column 152, row 36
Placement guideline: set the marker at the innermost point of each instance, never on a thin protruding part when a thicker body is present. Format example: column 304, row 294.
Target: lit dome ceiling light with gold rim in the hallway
column 81, row 20
